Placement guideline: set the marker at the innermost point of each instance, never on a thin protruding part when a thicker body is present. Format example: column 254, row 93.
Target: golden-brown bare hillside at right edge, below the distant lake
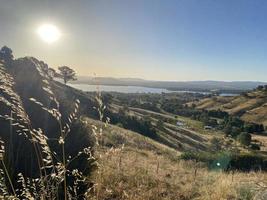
column 251, row 106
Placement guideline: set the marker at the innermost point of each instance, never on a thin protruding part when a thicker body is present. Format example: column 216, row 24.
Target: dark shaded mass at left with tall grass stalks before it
column 41, row 132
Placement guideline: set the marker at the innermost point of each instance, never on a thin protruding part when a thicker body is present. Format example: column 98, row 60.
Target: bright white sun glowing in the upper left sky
column 49, row 33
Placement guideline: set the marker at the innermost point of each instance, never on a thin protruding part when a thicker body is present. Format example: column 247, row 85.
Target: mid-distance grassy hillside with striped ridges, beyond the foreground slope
column 193, row 137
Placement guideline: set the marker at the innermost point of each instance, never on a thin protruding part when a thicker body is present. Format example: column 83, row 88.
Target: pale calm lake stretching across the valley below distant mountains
column 129, row 89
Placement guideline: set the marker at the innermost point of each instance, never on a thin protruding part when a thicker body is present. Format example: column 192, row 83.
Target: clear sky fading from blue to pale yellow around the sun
column 178, row 40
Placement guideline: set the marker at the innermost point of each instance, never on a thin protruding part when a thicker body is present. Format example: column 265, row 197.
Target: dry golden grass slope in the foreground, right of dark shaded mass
column 132, row 167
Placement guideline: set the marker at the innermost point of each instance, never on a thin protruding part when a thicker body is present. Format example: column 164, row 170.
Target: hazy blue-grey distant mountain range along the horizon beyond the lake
column 220, row 86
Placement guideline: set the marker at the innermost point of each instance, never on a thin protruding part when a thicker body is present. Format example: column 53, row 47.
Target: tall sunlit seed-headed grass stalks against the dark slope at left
column 52, row 169
